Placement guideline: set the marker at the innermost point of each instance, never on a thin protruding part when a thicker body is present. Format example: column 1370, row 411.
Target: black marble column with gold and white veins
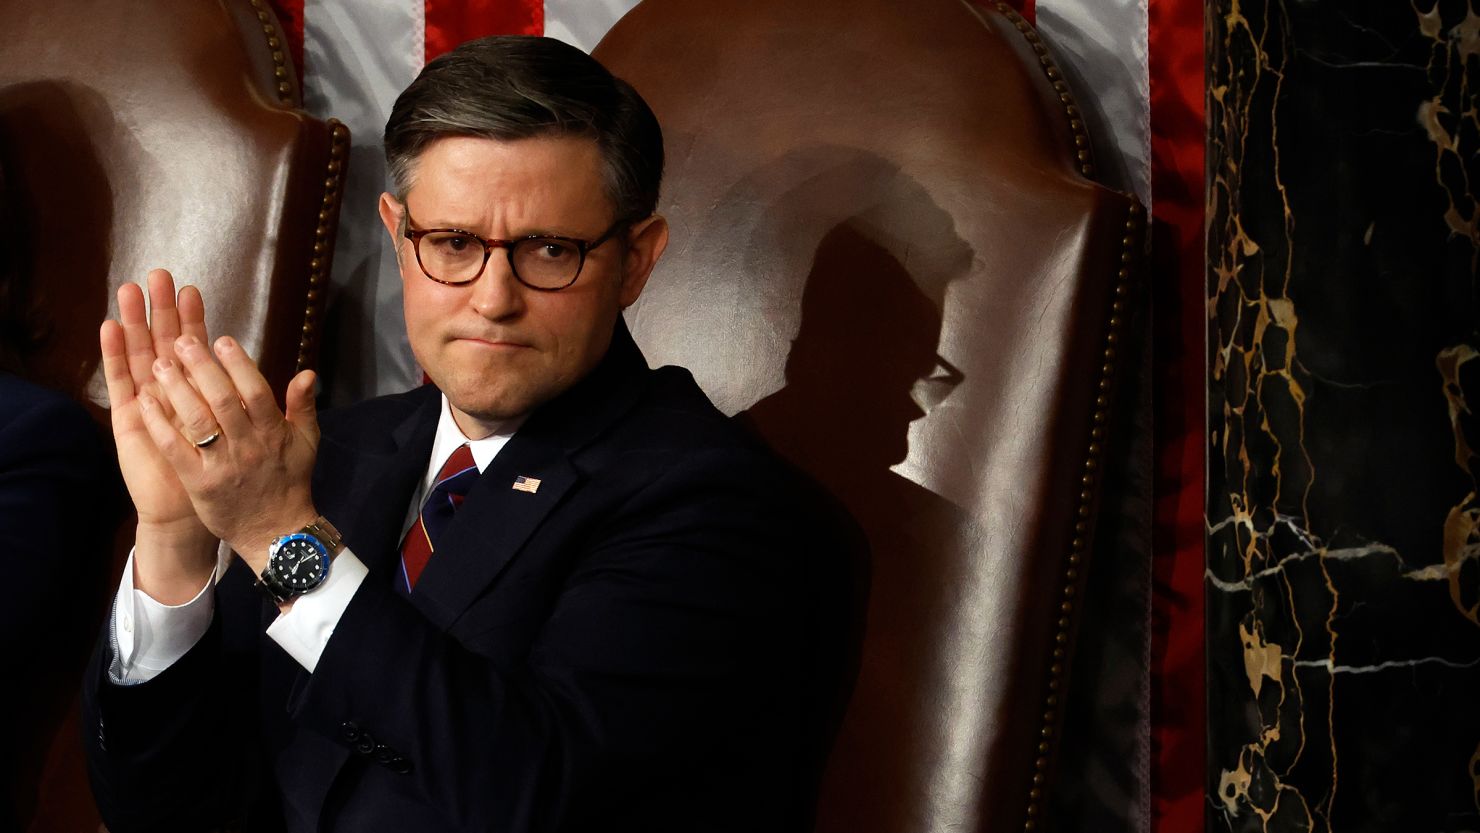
column 1343, row 514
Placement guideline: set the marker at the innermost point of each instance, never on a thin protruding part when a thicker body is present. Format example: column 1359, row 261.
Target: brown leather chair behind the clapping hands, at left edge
column 161, row 134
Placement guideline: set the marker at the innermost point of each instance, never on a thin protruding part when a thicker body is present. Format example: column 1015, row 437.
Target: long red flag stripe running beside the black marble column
column 1179, row 720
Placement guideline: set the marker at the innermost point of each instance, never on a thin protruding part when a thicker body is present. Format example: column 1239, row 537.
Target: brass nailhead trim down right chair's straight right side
column 1080, row 547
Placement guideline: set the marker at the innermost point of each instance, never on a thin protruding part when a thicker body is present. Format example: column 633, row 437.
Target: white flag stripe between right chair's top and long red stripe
column 1103, row 45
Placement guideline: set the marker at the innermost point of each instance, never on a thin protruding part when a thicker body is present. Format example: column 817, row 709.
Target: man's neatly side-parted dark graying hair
column 517, row 88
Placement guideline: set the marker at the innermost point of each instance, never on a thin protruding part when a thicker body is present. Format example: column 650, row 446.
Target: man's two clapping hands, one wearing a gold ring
column 203, row 446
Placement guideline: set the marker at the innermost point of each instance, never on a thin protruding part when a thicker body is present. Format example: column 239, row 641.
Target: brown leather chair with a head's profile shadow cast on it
column 890, row 254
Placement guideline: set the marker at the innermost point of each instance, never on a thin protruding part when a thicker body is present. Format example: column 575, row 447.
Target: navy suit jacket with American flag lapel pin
column 652, row 641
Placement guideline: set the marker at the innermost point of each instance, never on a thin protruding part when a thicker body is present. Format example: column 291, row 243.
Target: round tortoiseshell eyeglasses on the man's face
column 544, row 263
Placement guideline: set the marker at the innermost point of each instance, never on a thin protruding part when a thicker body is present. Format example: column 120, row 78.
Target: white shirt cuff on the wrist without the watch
column 150, row 637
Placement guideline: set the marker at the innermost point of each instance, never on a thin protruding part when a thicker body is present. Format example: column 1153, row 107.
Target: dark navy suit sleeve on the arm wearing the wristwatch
column 676, row 641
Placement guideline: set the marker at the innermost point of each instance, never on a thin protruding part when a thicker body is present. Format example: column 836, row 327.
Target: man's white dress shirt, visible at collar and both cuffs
column 150, row 637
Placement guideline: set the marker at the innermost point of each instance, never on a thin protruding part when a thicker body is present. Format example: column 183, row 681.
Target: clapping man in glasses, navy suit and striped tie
column 628, row 621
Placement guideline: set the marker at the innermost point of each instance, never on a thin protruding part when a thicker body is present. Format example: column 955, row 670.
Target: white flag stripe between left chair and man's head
column 357, row 58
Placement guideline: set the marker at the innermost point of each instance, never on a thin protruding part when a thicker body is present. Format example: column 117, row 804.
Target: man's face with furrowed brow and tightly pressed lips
column 497, row 348
